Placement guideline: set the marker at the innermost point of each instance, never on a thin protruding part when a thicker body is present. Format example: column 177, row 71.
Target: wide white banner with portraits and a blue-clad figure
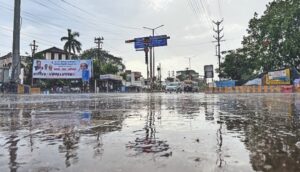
column 62, row 69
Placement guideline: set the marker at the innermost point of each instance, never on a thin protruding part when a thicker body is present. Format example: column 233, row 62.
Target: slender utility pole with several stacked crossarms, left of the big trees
column 219, row 39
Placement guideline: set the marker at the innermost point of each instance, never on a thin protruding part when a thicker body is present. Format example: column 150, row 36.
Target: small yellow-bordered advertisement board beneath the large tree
column 282, row 77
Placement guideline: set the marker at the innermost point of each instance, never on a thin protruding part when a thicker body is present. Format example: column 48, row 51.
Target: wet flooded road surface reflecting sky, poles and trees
column 150, row 132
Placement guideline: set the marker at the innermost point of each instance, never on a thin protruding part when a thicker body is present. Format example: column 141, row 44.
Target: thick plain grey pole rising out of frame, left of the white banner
column 16, row 61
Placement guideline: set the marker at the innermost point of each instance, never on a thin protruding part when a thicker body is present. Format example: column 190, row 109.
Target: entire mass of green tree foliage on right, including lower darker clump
column 272, row 42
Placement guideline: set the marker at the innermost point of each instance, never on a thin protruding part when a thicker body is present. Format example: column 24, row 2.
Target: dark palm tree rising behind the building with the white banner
column 72, row 45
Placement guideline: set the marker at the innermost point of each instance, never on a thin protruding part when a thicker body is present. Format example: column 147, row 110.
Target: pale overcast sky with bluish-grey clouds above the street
column 187, row 22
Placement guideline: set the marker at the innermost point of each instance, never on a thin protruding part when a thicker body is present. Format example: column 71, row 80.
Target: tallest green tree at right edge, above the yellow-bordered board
column 273, row 39
